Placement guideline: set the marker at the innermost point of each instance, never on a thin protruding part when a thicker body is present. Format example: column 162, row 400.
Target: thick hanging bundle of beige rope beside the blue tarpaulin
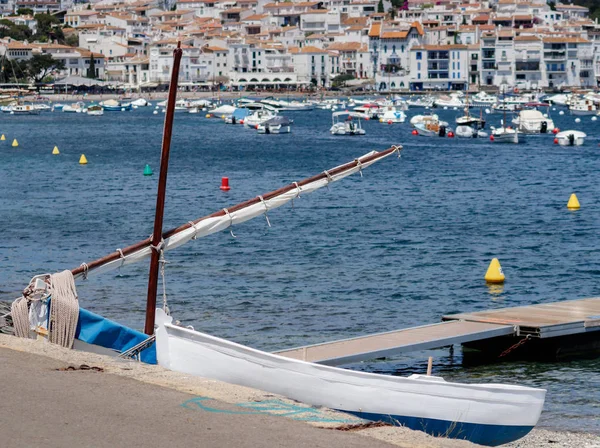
column 64, row 309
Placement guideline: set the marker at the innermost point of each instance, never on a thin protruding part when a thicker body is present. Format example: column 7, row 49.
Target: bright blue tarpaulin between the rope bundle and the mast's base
column 95, row 329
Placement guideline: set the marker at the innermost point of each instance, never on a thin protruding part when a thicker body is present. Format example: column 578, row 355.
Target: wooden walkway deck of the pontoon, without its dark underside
column 541, row 321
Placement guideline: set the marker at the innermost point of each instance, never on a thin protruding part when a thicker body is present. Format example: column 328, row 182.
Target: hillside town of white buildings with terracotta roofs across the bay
column 415, row 45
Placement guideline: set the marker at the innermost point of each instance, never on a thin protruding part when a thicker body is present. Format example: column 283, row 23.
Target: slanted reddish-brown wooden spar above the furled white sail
column 145, row 243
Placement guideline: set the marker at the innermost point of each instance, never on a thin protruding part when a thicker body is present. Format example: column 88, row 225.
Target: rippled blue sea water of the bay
column 400, row 247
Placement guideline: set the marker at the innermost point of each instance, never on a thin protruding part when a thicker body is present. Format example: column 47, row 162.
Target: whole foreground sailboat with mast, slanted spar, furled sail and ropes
column 490, row 414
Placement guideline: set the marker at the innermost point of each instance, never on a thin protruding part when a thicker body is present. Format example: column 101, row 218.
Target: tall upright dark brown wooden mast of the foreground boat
column 160, row 197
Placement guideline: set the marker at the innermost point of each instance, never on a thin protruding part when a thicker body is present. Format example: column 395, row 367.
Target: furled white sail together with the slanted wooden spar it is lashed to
column 226, row 218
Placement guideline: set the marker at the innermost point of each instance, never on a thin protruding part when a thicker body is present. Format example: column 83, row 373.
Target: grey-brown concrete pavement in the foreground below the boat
column 46, row 407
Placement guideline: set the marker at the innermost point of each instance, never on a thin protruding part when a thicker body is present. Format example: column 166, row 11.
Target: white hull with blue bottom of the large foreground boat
column 489, row 414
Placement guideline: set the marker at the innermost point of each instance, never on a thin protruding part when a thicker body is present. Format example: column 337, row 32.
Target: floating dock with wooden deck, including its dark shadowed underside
column 569, row 327
